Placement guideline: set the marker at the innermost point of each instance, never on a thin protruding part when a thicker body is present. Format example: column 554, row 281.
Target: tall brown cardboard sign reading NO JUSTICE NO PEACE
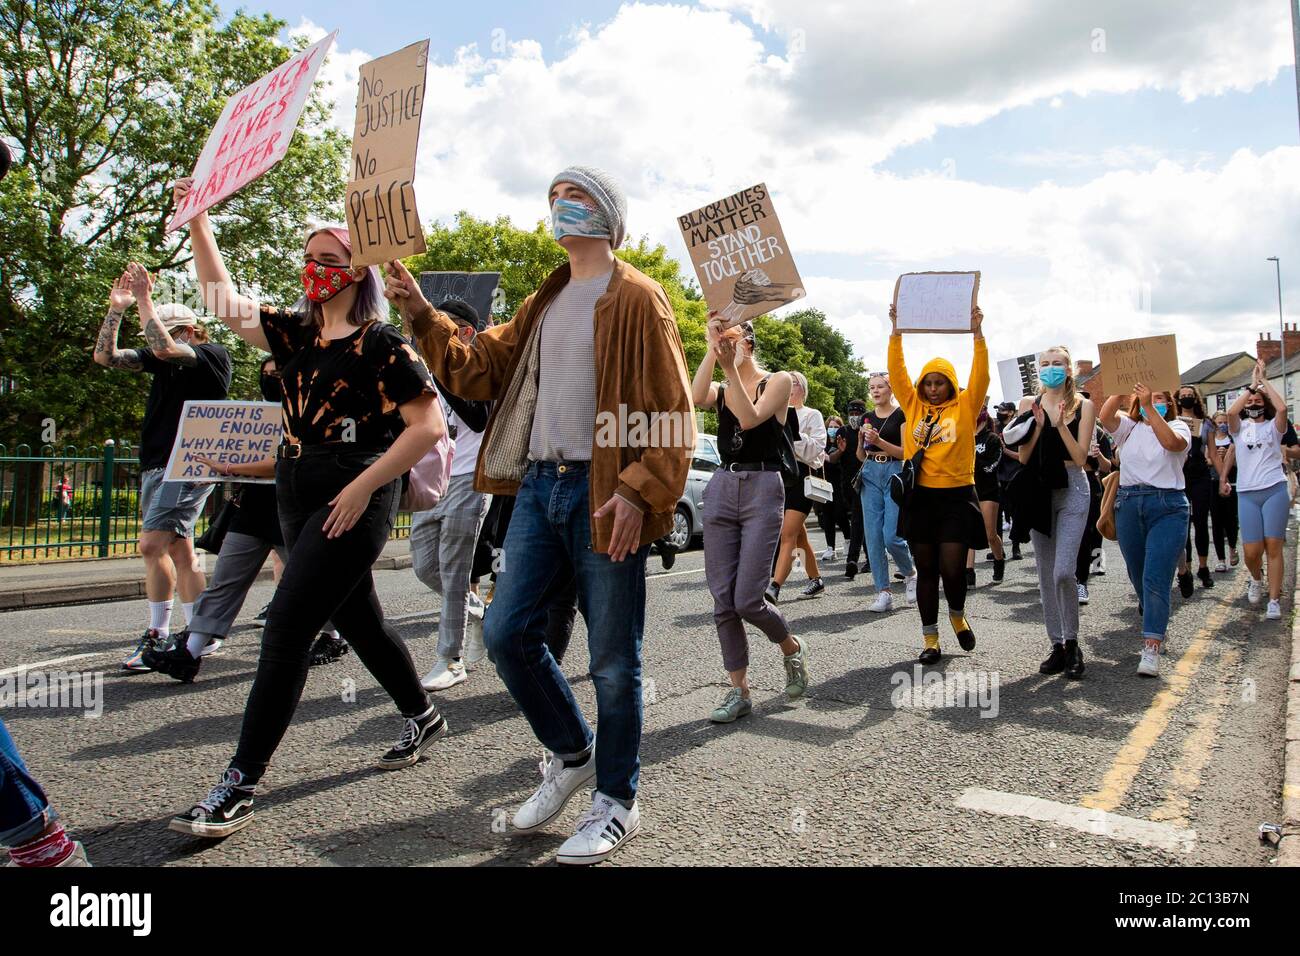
column 382, row 215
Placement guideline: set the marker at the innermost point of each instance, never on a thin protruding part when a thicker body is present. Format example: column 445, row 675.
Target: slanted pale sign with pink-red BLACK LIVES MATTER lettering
column 254, row 132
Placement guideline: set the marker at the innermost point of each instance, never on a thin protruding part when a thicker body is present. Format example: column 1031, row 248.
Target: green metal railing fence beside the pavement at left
column 63, row 505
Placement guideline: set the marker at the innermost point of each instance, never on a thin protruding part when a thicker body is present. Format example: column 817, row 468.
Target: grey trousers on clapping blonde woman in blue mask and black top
column 1059, row 555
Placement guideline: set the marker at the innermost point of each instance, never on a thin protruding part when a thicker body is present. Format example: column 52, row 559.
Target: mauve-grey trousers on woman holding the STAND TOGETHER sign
column 743, row 527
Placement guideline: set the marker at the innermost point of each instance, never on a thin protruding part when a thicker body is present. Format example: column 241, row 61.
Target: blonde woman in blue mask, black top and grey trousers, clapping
column 1056, row 505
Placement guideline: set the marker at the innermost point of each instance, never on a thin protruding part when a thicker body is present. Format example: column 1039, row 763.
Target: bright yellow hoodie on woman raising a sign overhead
column 950, row 461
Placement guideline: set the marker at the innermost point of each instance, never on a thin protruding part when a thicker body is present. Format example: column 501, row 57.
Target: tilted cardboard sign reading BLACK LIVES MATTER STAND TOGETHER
column 742, row 257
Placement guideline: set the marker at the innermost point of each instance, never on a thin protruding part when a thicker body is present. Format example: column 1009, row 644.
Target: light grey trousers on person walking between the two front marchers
column 443, row 553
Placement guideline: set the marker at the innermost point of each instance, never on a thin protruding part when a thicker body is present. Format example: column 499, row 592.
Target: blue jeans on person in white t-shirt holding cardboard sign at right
column 1151, row 525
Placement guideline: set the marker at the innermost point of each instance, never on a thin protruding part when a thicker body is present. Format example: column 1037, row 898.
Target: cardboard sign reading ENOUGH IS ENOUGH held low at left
column 228, row 434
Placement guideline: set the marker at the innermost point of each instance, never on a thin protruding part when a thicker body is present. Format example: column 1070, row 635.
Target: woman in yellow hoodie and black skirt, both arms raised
column 943, row 520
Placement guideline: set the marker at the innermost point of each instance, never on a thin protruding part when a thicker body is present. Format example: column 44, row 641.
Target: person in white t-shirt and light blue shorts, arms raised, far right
column 1258, row 421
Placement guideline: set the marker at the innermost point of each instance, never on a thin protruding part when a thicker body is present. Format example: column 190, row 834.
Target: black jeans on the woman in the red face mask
column 324, row 579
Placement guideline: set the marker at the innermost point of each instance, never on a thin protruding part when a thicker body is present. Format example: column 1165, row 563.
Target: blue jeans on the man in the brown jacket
column 549, row 544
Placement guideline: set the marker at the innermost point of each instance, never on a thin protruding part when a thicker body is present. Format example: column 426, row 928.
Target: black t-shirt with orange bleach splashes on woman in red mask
column 348, row 390
